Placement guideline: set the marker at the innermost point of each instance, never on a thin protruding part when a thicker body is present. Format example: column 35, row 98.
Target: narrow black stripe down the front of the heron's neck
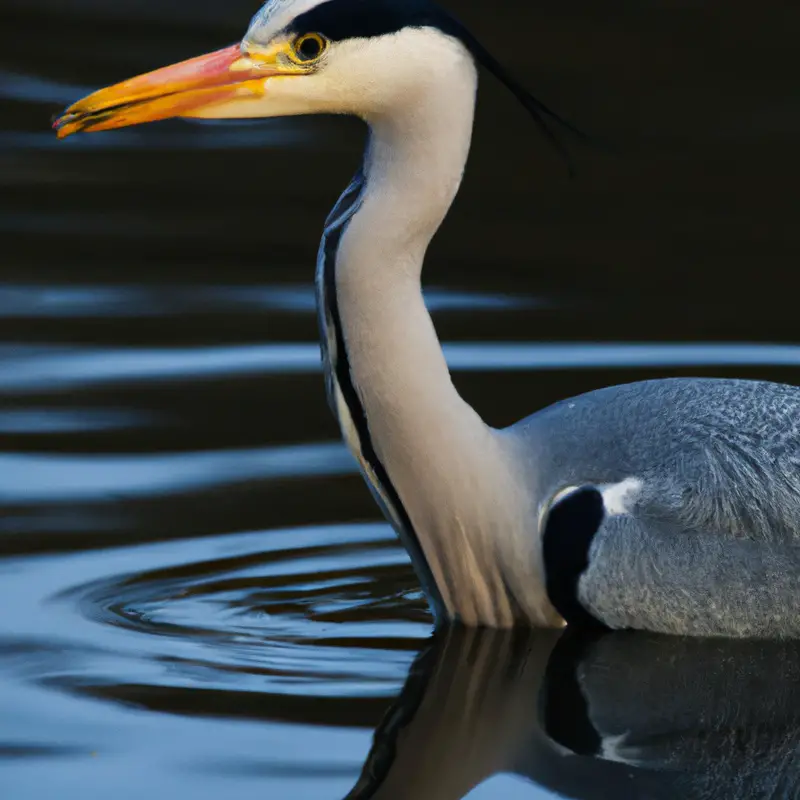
column 343, row 212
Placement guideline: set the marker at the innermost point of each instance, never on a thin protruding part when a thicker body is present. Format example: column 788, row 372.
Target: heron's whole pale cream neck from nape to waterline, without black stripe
column 448, row 468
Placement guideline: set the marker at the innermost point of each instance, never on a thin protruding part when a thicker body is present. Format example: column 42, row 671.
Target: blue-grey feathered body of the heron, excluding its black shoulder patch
column 711, row 543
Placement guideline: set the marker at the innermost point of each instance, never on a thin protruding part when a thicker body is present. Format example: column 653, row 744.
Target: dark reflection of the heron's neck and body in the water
column 606, row 715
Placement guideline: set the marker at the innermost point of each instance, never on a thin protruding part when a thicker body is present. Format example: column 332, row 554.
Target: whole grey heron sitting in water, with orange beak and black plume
column 669, row 505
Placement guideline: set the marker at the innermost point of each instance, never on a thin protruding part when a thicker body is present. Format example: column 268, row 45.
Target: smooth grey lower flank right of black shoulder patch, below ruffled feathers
column 650, row 576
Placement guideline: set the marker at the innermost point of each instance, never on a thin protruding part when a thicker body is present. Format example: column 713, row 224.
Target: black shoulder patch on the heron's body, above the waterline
column 568, row 532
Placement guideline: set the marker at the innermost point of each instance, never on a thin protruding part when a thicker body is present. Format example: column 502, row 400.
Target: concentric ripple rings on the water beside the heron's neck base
column 297, row 612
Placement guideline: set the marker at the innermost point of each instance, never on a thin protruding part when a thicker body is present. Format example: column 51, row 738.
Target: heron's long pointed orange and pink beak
column 181, row 90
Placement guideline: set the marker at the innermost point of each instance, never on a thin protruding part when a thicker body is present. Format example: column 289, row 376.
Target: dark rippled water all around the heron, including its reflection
column 197, row 595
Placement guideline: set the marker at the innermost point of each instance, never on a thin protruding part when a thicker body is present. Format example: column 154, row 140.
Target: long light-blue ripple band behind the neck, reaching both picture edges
column 55, row 368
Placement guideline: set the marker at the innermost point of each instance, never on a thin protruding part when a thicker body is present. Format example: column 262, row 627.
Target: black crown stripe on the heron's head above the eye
column 348, row 19
